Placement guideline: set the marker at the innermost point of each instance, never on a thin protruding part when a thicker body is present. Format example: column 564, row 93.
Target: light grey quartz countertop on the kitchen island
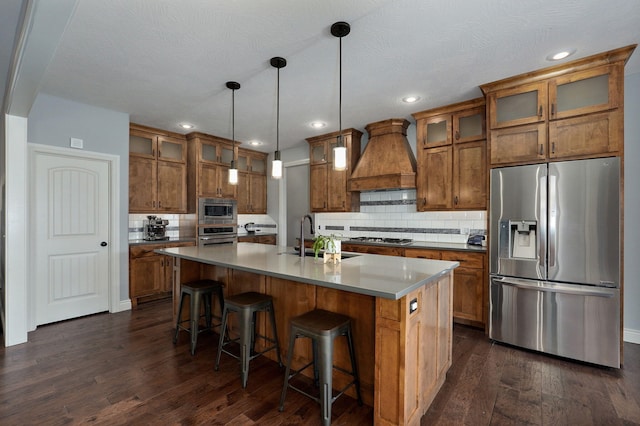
column 389, row 277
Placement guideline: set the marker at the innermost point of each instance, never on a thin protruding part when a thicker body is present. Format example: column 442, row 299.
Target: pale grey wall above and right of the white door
column 53, row 121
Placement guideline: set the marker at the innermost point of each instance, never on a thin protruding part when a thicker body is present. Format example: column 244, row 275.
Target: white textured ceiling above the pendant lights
column 166, row 62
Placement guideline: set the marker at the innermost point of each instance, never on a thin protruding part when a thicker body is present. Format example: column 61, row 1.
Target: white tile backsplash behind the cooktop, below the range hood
column 392, row 214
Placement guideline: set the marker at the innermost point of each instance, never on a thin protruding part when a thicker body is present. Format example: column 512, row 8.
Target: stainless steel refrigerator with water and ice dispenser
column 555, row 258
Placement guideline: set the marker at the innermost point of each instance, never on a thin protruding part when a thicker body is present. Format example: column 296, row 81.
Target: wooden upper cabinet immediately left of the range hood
column 327, row 187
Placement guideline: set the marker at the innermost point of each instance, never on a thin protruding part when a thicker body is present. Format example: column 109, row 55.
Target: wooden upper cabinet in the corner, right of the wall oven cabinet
column 252, row 182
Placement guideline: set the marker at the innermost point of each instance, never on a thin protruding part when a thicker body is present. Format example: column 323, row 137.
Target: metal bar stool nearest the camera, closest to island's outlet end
column 322, row 327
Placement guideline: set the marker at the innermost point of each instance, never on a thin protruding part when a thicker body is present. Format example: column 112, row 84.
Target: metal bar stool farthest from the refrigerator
column 201, row 291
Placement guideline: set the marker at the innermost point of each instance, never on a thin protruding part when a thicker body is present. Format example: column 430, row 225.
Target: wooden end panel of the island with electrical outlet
column 413, row 352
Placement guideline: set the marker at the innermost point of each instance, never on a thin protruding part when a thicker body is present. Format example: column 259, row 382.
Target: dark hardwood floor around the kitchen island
column 123, row 369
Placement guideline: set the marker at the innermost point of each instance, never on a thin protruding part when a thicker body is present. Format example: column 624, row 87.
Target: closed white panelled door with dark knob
column 70, row 216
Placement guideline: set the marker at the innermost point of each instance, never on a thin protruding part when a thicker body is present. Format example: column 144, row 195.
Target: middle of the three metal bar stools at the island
column 247, row 305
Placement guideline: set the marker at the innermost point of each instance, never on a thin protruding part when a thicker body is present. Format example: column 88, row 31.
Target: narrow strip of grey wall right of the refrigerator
column 632, row 208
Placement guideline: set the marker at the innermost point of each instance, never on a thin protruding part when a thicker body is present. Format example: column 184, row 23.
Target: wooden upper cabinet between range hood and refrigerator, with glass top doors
column 451, row 157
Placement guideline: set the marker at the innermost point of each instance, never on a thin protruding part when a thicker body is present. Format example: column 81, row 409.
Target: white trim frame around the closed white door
column 113, row 162
